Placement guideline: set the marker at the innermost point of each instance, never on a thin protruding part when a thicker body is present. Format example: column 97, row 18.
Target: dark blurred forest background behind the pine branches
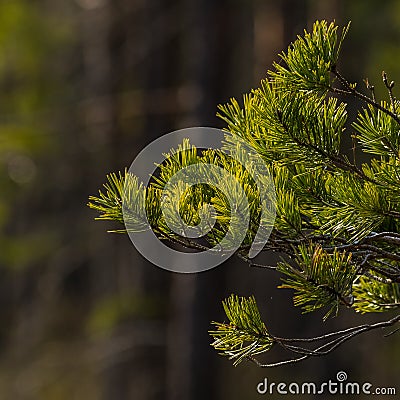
column 84, row 85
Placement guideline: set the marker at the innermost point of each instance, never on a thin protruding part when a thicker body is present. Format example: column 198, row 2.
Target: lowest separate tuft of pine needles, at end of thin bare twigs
column 245, row 335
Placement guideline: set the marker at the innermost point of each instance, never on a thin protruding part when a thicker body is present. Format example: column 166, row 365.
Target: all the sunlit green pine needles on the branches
column 337, row 220
